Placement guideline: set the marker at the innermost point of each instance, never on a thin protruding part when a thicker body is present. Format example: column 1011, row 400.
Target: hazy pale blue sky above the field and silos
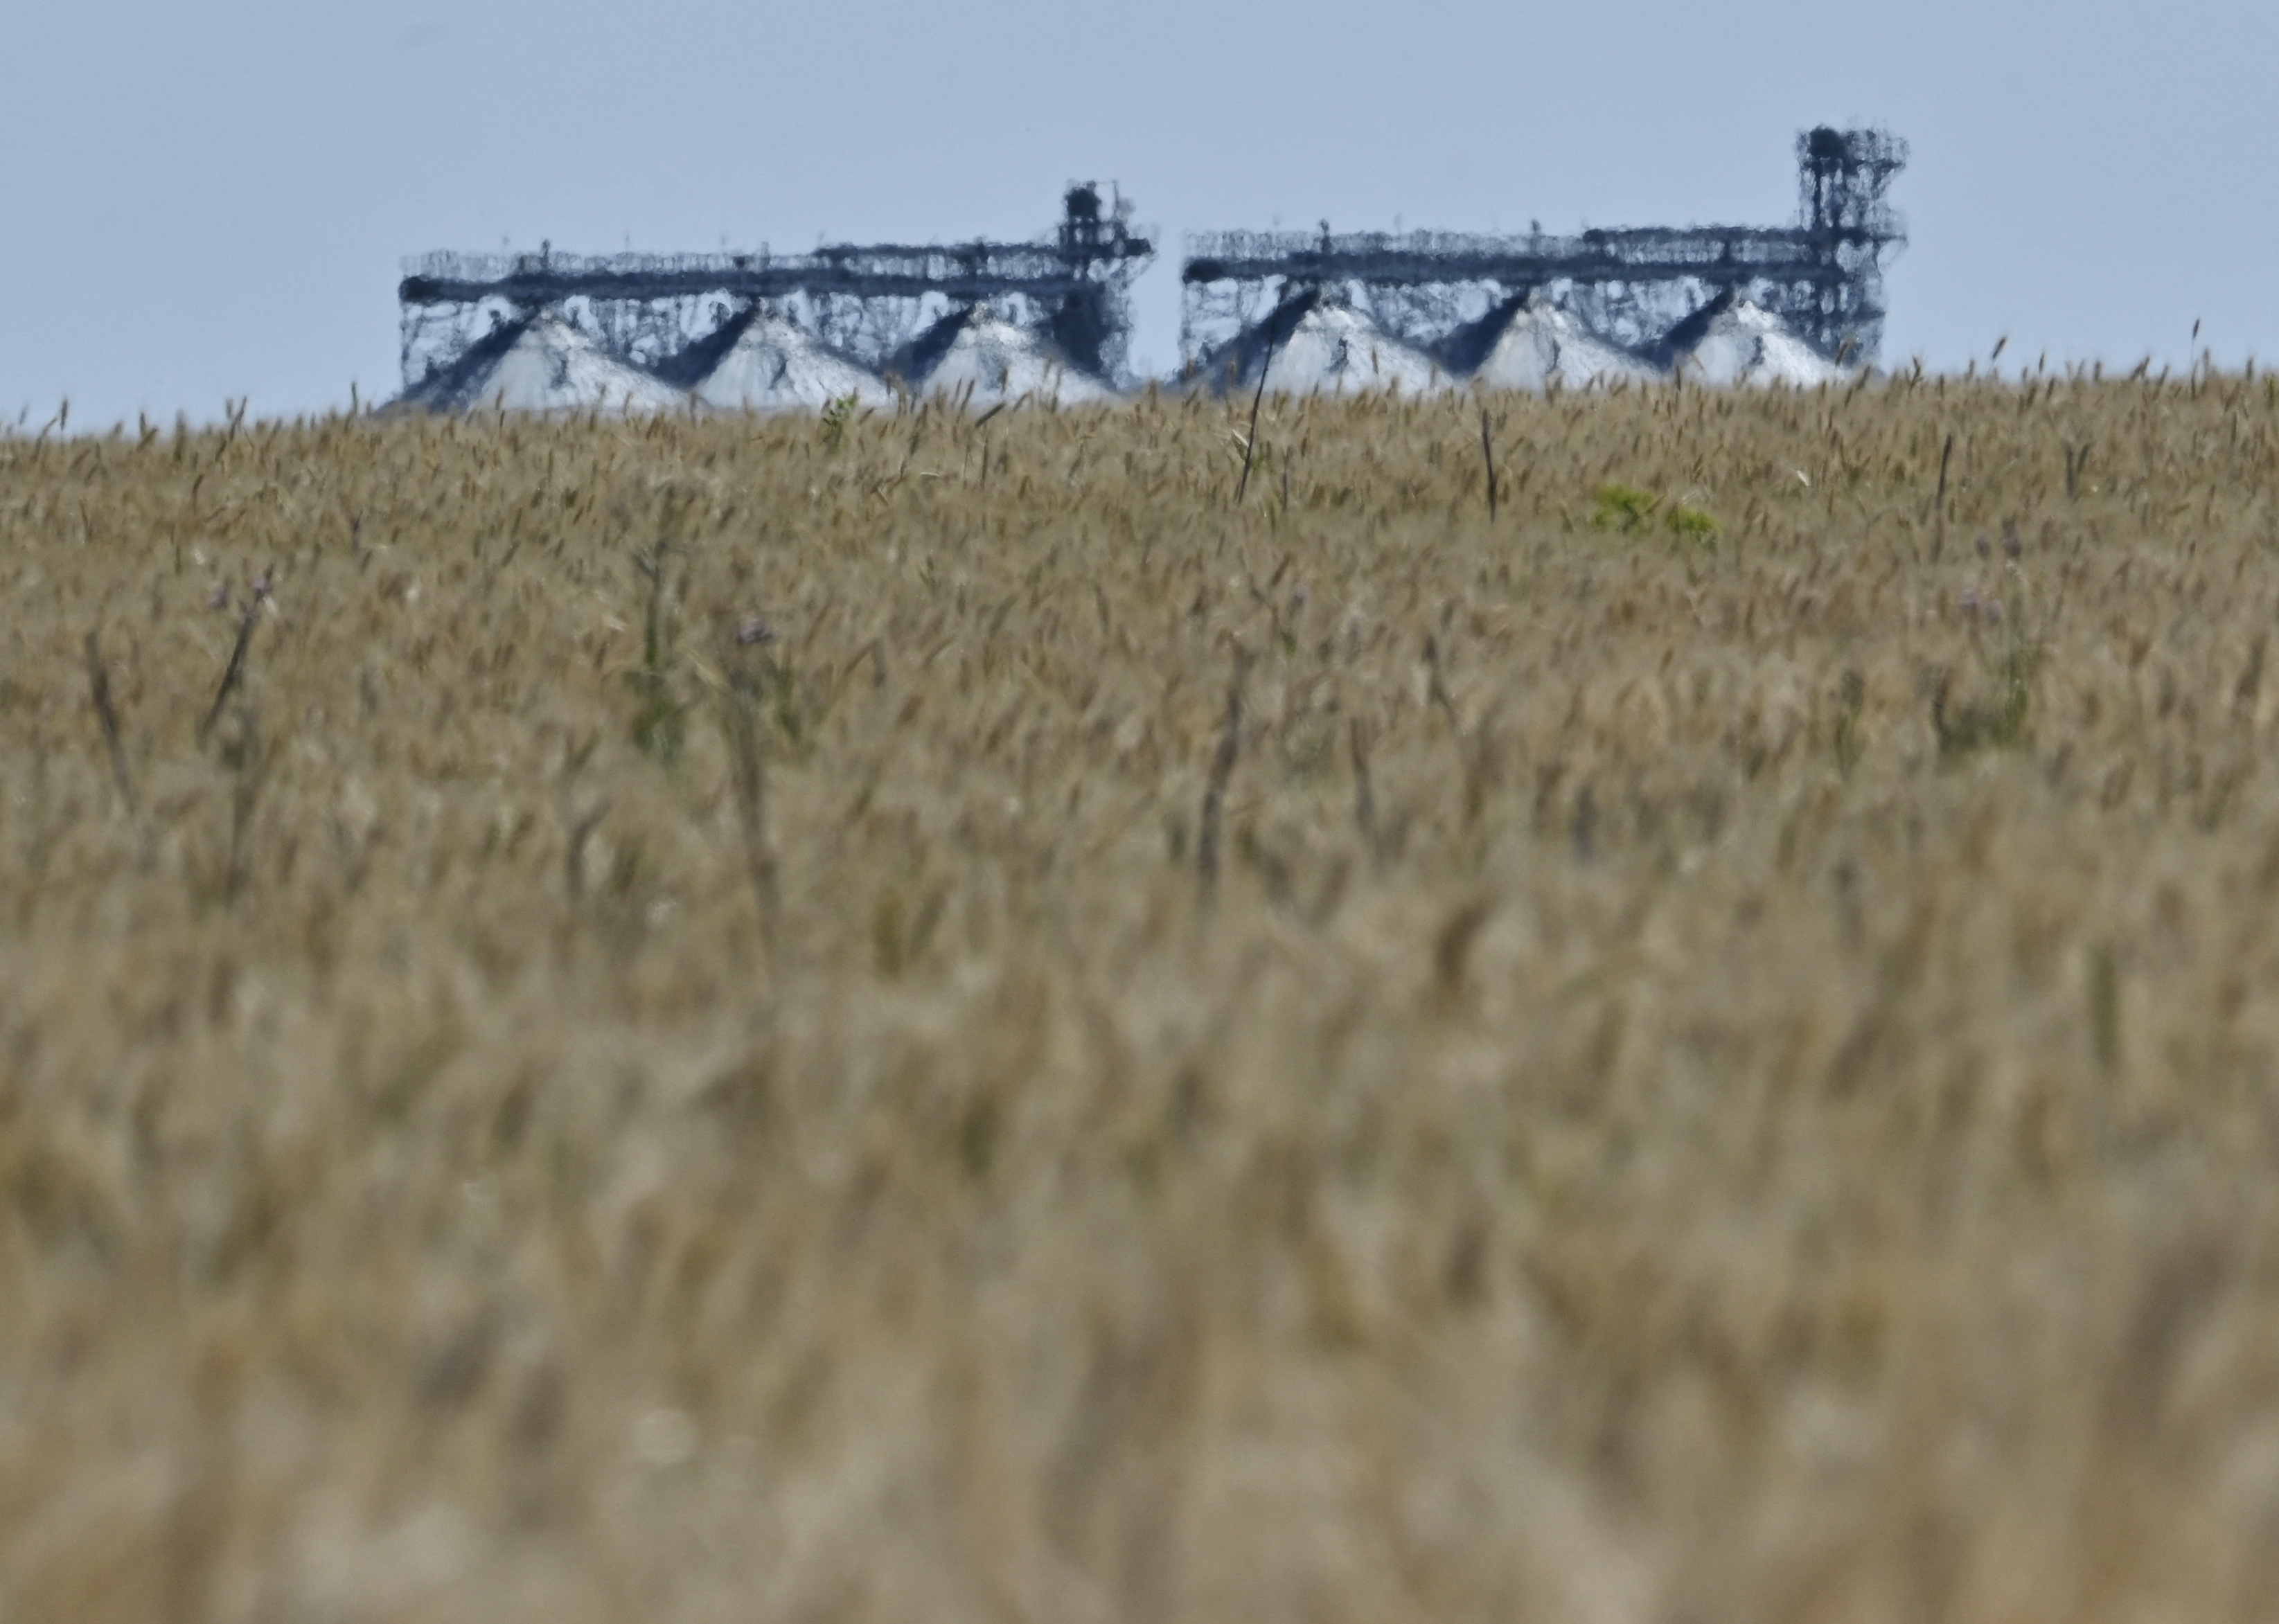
column 202, row 202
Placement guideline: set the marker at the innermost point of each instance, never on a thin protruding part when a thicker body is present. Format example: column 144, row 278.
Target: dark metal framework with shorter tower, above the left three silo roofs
column 1075, row 288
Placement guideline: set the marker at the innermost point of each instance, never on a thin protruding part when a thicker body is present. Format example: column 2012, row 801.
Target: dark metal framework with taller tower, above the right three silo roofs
column 1824, row 274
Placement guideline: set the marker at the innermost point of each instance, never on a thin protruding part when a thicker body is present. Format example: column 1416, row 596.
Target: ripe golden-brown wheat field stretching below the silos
column 1075, row 1019
